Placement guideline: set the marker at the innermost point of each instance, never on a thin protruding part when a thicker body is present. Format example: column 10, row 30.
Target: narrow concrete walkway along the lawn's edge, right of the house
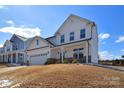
column 119, row 68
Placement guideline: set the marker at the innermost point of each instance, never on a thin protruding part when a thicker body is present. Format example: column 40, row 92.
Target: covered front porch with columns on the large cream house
column 79, row 51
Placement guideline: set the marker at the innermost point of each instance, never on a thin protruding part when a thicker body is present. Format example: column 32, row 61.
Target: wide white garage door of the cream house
column 38, row 59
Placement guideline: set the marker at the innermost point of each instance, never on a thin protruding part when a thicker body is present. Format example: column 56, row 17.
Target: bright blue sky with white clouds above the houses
column 45, row 20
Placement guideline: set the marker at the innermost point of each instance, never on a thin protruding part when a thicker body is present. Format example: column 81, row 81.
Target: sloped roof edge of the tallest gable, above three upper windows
column 75, row 16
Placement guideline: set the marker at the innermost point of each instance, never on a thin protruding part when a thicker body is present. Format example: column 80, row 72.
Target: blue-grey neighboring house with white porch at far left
column 13, row 50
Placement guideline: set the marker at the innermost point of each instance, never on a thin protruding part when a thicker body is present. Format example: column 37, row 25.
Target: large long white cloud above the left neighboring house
column 23, row 31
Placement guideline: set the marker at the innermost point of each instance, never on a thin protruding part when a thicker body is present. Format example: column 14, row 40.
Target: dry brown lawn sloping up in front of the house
column 63, row 76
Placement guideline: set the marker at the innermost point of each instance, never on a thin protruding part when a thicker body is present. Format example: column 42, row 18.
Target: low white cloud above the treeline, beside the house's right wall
column 104, row 55
